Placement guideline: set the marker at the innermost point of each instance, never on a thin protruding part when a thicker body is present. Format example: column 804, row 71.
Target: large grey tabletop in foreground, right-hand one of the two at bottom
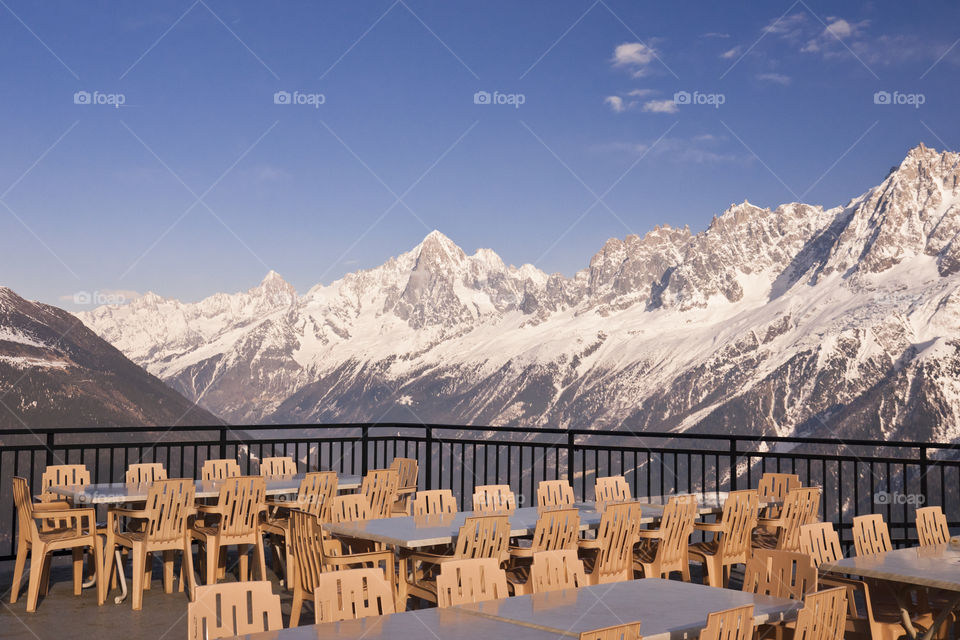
column 665, row 608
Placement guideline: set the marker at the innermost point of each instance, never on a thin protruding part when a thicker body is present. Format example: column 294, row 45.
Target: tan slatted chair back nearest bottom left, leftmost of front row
column 233, row 609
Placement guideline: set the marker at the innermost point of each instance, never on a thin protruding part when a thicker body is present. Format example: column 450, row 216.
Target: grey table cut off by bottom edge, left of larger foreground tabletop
column 447, row 624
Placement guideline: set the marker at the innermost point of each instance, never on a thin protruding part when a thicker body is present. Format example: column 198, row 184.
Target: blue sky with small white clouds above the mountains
column 200, row 182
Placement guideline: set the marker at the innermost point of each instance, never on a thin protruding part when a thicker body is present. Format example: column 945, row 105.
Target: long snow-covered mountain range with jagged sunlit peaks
column 796, row 320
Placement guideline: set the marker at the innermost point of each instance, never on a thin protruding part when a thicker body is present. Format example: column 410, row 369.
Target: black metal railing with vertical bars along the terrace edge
column 857, row 476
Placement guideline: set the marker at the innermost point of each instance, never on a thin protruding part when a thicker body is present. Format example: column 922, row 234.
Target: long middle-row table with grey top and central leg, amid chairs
column 410, row 533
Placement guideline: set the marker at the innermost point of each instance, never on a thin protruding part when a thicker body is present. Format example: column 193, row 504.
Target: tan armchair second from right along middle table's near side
column 731, row 542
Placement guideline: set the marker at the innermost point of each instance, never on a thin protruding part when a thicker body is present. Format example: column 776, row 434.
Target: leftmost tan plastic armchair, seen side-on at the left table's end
column 79, row 532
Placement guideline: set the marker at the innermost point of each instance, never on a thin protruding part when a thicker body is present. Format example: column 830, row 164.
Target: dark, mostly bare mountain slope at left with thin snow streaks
column 55, row 372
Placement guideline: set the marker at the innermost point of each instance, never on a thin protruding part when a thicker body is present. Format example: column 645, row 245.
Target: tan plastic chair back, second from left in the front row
column 350, row 594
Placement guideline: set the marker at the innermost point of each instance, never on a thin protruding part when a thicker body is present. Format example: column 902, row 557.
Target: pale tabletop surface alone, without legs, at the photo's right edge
column 936, row 566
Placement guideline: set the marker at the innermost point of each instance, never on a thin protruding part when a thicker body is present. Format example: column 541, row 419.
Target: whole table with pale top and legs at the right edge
column 934, row 566
